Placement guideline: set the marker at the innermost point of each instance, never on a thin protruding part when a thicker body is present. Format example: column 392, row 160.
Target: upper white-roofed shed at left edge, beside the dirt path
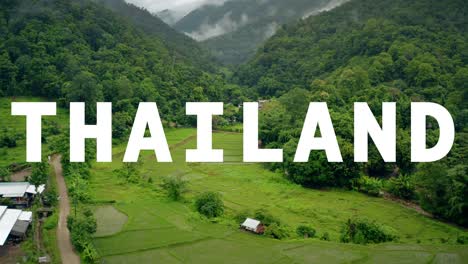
column 19, row 193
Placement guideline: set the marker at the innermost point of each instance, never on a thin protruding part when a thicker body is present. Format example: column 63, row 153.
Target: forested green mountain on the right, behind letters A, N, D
column 370, row 51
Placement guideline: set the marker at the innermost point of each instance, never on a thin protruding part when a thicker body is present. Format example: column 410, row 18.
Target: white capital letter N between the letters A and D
column 384, row 138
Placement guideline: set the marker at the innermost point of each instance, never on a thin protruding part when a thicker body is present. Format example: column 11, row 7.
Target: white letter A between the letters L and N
column 318, row 115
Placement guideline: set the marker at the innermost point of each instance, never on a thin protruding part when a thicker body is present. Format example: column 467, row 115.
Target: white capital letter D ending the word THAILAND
column 419, row 112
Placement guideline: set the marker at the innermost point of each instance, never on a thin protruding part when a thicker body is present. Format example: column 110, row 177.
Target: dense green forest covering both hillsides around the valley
column 364, row 51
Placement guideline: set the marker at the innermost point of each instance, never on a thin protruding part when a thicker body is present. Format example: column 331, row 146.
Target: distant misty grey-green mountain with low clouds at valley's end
column 234, row 30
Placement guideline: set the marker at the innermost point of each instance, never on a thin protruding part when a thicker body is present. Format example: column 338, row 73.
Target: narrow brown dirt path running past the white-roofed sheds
column 68, row 255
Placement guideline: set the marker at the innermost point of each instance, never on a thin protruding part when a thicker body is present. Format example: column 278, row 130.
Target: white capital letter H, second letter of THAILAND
column 102, row 132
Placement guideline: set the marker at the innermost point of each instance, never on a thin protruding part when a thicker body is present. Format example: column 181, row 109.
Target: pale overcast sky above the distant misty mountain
column 180, row 6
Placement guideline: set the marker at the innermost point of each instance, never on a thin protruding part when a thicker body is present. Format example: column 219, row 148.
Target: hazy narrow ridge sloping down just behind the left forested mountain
column 182, row 46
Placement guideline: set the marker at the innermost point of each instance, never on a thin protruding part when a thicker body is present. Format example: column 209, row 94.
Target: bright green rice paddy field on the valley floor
column 143, row 226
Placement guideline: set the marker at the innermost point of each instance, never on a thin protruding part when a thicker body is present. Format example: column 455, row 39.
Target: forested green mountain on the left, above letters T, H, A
column 80, row 51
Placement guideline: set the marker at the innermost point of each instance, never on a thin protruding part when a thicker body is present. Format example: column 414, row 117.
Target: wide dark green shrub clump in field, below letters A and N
column 362, row 231
